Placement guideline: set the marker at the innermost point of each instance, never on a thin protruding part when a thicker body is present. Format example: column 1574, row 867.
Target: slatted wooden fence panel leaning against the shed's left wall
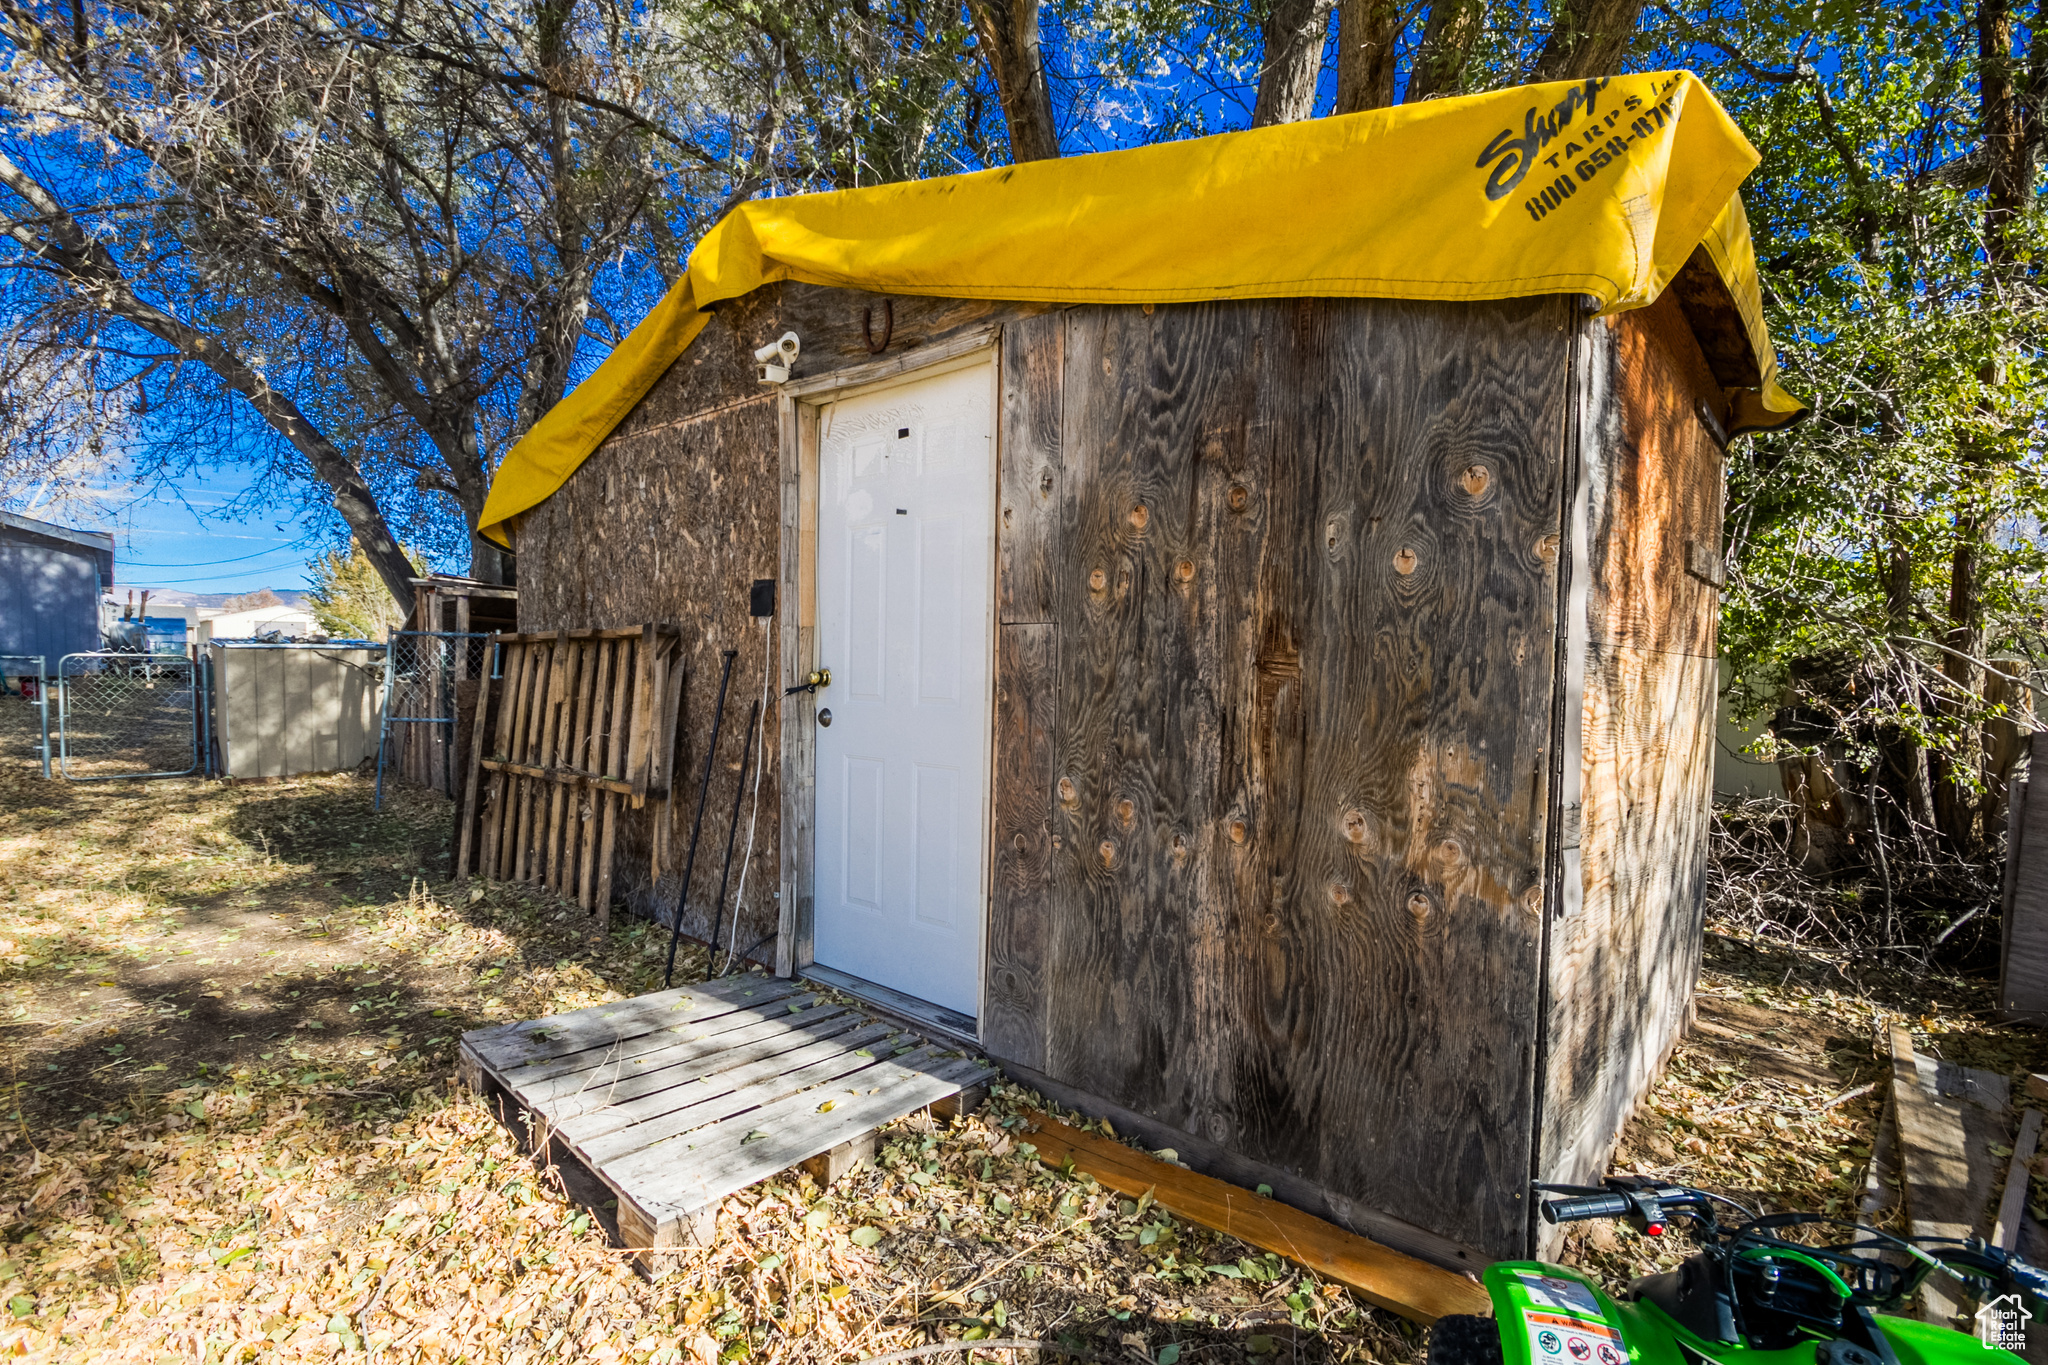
column 585, row 725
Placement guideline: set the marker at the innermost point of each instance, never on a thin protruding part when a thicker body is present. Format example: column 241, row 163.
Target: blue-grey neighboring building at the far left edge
column 54, row 578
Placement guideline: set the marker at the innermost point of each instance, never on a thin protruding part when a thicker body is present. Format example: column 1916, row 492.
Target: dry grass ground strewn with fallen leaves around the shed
column 230, row 1022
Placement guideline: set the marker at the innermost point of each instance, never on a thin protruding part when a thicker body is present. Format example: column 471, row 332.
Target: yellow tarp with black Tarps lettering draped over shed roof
column 1598, row 187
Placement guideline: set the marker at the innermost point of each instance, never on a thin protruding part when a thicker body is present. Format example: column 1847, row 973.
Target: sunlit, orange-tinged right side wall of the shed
column 1623, row 965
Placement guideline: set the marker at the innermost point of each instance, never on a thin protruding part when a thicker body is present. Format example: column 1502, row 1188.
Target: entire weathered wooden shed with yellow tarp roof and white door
column 1269, row 590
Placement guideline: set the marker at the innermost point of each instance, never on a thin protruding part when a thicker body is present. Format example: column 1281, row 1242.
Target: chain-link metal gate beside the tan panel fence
column 124, row 715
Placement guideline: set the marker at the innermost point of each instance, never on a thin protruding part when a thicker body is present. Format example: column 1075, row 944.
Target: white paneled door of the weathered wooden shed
column 904, row 605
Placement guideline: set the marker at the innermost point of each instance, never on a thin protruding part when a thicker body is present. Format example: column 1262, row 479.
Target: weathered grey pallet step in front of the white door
column 687, row 1096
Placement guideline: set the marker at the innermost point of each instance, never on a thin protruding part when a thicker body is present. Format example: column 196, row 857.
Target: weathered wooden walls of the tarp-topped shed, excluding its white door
column 1279, row 699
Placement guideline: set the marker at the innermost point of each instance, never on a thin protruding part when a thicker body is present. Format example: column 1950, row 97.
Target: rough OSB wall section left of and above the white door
column 673, row 519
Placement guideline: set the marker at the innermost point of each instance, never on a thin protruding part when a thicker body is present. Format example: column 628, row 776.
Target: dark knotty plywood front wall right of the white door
column 1306, row 603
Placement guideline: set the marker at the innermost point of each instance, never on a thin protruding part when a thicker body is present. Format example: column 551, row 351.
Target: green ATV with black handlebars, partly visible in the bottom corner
column 1748, row 1298
